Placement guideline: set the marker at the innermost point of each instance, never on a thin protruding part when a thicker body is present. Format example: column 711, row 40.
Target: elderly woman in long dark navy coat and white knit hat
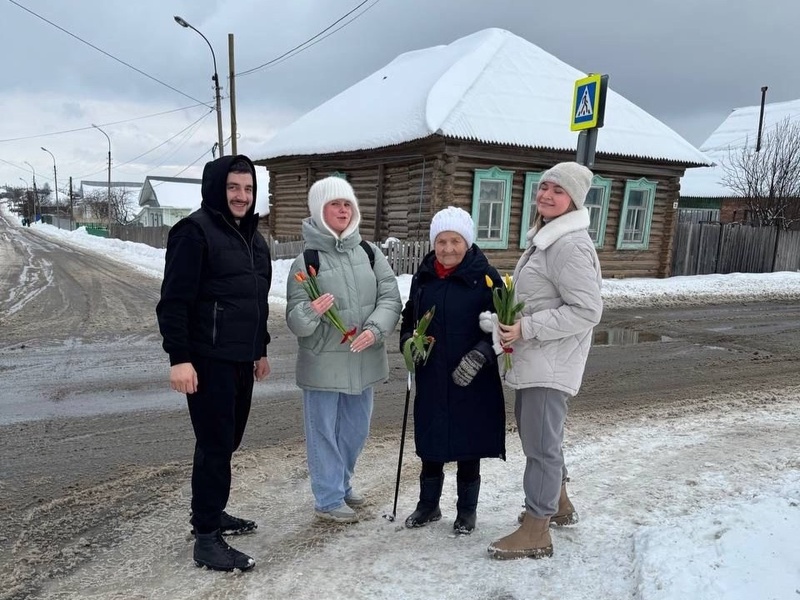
column 459, row 409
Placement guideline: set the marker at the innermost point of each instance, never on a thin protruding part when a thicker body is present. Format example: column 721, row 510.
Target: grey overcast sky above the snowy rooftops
column 687, row 62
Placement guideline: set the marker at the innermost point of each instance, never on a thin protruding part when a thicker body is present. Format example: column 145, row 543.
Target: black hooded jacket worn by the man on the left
column 217, row 277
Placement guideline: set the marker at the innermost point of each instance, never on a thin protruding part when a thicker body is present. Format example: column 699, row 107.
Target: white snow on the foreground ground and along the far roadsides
column 697, row 503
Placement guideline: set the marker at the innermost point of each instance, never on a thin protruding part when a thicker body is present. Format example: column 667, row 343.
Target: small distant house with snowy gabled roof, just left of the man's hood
column 166, row 200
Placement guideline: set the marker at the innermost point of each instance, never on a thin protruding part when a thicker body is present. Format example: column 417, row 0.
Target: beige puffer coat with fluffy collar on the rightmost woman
column 558, row 278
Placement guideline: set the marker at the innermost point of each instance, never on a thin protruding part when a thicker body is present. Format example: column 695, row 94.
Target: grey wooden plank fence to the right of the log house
column 703, row 248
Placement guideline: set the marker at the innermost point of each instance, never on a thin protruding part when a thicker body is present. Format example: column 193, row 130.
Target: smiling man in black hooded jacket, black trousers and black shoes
column 213, row 318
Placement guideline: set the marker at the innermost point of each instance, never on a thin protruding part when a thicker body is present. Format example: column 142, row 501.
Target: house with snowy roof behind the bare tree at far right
column 704, row 194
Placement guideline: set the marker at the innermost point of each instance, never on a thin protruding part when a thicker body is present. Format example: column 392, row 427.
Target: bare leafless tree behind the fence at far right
column 769, row 180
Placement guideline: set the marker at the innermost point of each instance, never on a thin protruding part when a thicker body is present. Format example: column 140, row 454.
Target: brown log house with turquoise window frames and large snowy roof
column 474, row 124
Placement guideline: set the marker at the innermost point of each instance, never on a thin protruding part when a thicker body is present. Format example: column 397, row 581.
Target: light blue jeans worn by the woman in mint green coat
column 337, row 426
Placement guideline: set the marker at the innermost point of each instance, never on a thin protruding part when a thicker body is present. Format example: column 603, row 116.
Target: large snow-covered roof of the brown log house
column 491, row 86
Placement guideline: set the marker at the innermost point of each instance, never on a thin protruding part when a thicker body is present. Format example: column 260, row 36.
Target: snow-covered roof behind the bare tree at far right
column 737, row 132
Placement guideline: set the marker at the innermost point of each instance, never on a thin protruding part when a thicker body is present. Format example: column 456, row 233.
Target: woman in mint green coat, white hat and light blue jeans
column 337, row 376
